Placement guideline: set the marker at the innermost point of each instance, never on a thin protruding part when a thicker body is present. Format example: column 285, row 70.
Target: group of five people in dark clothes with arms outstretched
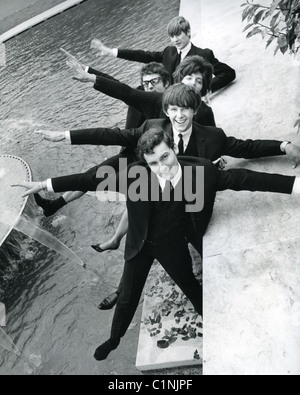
column 172, row 147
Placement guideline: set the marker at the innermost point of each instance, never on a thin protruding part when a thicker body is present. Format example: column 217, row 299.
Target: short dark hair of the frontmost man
column 151, row 139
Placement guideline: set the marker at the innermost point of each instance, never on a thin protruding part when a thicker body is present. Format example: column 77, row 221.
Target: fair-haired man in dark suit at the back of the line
column 179, row 31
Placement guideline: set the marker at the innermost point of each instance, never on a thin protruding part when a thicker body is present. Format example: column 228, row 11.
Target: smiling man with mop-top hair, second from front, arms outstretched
column 180, row 103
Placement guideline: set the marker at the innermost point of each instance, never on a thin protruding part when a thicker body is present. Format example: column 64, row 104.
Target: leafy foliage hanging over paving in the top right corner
column 279, row 22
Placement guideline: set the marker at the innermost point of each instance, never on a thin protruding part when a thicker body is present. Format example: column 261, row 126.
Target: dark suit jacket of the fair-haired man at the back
column 223, row 73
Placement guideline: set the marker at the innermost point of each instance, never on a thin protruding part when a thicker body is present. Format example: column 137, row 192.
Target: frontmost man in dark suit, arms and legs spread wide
column 161, row 228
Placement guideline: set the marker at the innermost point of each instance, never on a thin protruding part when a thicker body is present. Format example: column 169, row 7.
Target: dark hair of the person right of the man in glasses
column 195, row 64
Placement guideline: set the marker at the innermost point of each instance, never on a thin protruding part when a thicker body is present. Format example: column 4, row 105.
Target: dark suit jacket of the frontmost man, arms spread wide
column 214, row 180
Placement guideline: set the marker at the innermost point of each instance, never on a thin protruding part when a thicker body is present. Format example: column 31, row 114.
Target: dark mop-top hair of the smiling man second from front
column 182, row 96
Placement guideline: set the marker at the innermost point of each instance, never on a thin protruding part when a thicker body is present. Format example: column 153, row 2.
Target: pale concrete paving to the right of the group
column 251, row 264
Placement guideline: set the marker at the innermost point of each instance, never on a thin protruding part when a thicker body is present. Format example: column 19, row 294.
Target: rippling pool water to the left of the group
column 51, row 304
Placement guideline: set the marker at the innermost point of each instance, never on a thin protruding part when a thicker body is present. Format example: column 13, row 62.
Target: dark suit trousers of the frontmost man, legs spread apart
column 175, row 259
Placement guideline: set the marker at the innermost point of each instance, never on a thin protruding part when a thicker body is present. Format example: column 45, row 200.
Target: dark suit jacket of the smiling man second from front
column 211, row 142
